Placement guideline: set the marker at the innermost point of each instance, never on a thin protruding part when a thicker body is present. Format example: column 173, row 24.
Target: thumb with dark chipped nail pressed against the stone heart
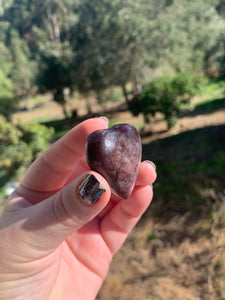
column 54, row 219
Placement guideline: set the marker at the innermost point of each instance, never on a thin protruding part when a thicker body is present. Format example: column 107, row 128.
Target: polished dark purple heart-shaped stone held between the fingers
column 115, row 153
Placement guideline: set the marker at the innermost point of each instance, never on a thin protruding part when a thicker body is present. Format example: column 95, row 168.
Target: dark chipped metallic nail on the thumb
column 90, row 190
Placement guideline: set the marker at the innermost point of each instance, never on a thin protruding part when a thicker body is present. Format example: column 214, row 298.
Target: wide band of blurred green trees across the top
column 94, row 45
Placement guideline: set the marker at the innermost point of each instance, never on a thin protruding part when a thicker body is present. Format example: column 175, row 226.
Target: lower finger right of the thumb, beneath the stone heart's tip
column 116, row 225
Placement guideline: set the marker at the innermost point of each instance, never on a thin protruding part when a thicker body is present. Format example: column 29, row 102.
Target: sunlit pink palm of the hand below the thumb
column 75, row 270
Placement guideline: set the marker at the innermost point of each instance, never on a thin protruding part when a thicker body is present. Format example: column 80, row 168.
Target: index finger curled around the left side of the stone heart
column 52, row 169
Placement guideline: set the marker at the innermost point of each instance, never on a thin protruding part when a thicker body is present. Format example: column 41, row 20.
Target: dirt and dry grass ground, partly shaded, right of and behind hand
column 177, row 250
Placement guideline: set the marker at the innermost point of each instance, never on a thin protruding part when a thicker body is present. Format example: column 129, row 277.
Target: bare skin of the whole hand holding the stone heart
column 53, row 245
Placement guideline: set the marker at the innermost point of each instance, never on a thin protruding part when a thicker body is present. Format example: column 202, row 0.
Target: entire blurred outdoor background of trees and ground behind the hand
column 158, row 65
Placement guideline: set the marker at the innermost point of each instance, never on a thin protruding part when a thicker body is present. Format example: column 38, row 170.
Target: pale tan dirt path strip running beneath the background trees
column 158, row 129
